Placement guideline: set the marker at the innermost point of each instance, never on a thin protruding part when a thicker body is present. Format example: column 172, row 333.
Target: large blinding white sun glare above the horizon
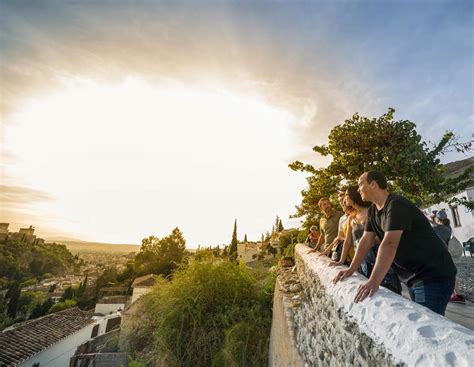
column 129, row 159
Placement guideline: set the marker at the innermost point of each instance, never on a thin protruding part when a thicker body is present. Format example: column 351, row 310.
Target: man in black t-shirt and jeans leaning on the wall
column 419, row 256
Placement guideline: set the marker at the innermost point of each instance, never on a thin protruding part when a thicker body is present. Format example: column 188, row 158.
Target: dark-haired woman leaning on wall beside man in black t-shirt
column 356, row 225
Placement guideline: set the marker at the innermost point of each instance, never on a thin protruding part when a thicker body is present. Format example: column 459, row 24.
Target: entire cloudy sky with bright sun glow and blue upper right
column 124, row 119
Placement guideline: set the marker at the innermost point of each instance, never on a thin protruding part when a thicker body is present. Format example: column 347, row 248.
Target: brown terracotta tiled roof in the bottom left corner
column 26, row 339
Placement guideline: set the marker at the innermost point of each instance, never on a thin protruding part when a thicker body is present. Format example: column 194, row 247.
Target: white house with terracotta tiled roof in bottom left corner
column 50, row 340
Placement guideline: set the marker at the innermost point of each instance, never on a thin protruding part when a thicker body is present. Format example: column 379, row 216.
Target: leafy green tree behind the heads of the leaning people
column 391, row 147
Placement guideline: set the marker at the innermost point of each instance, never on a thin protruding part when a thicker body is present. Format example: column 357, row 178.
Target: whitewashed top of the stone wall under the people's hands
column 411, row 333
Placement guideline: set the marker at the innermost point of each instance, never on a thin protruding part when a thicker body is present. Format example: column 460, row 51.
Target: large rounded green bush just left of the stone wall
column 208, row 314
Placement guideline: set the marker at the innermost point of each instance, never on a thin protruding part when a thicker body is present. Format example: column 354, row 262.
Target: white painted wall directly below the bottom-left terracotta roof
column 59, row 354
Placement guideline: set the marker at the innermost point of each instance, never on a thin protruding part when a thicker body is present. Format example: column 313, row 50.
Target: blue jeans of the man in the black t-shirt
column 433, row 295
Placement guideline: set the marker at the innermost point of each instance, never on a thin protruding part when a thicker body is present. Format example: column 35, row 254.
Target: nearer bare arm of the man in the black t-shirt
column 385, row 257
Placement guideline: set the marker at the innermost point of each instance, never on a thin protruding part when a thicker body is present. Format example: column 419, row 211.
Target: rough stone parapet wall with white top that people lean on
column 384, row 330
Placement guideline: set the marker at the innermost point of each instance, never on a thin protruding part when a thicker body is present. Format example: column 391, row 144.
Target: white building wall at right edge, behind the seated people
column 466, row 217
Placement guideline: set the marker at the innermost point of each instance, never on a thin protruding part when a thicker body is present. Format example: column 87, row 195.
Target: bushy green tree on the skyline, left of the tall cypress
column 160, row 256
